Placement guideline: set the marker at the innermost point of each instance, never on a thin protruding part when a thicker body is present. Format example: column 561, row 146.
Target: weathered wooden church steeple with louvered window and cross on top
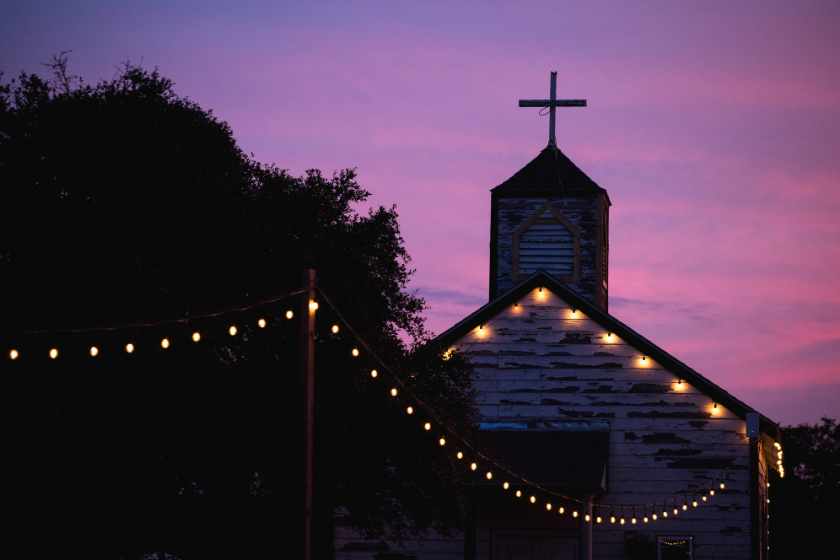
column 550, row 216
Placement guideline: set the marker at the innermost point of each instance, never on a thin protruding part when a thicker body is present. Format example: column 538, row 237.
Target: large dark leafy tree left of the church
column 125, row 202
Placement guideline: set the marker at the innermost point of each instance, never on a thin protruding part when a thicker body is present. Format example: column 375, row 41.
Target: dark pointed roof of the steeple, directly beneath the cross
column 541, row 175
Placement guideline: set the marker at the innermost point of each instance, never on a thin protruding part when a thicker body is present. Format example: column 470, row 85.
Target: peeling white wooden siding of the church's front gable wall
column 544, row 361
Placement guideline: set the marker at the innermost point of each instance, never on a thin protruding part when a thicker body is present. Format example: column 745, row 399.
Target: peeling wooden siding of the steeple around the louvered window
column 582, row 212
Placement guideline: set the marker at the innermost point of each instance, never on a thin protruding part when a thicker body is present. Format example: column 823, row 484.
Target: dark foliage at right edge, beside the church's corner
column 804, row 504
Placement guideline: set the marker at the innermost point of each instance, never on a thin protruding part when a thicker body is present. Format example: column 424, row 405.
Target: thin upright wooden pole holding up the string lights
column 307, row 399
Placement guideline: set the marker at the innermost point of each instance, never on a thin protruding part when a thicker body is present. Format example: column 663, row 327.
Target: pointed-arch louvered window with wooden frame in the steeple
column 547, row 241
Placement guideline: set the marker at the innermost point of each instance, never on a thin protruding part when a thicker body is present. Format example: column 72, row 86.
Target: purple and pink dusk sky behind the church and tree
column 714, row 126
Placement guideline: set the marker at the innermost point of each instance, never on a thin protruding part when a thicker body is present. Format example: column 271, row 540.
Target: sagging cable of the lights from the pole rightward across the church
column 479, row 454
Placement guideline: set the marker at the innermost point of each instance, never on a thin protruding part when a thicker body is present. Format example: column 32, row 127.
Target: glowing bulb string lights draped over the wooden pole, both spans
column 707, row 489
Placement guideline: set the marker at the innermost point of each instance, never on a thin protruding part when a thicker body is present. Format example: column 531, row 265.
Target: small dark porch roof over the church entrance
column 549, row 457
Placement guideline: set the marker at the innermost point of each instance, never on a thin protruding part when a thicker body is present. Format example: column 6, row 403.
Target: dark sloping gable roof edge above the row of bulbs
column 540, row 279
